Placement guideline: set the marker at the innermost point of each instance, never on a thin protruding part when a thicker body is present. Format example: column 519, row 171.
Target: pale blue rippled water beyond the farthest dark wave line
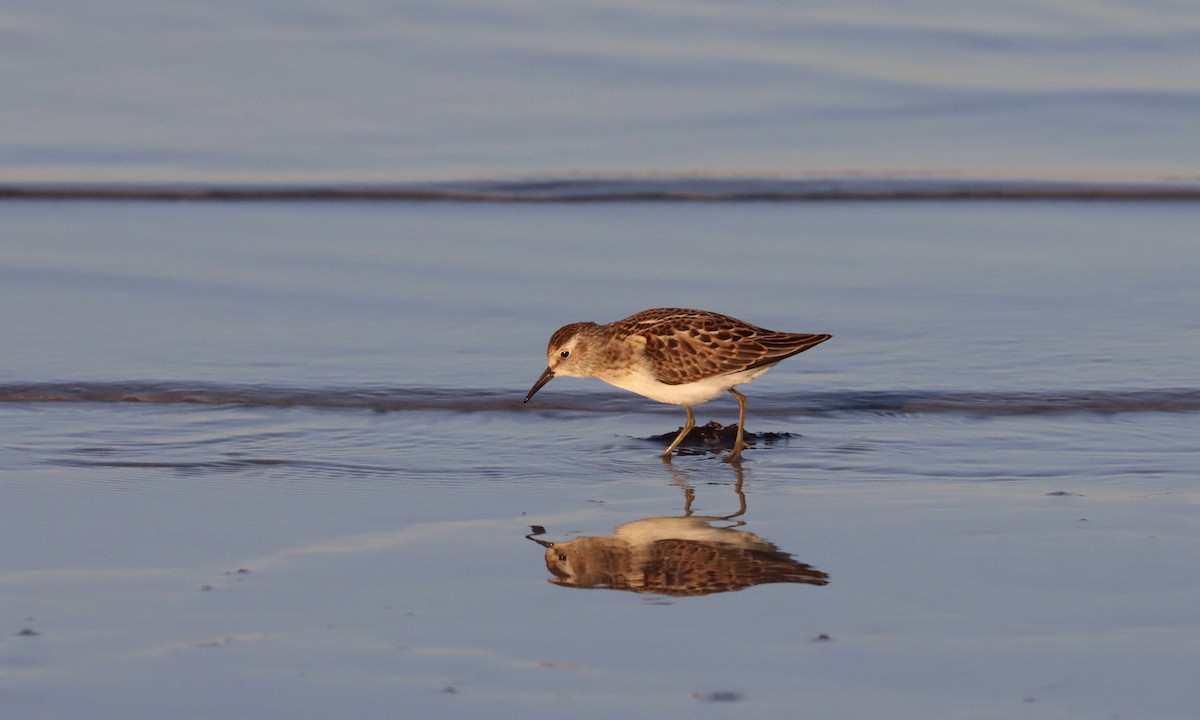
column 333, row 92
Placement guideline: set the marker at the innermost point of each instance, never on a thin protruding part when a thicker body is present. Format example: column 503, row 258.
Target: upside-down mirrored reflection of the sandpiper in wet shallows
column 675, row 556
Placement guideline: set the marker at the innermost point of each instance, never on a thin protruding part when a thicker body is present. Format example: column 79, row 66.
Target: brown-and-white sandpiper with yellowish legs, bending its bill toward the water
column 674, row 356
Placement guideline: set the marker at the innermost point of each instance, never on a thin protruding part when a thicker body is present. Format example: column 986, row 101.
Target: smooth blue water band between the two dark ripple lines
column 968, row 297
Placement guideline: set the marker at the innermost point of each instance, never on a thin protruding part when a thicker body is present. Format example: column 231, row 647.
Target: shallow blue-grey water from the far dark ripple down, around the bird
column 272, row 460
